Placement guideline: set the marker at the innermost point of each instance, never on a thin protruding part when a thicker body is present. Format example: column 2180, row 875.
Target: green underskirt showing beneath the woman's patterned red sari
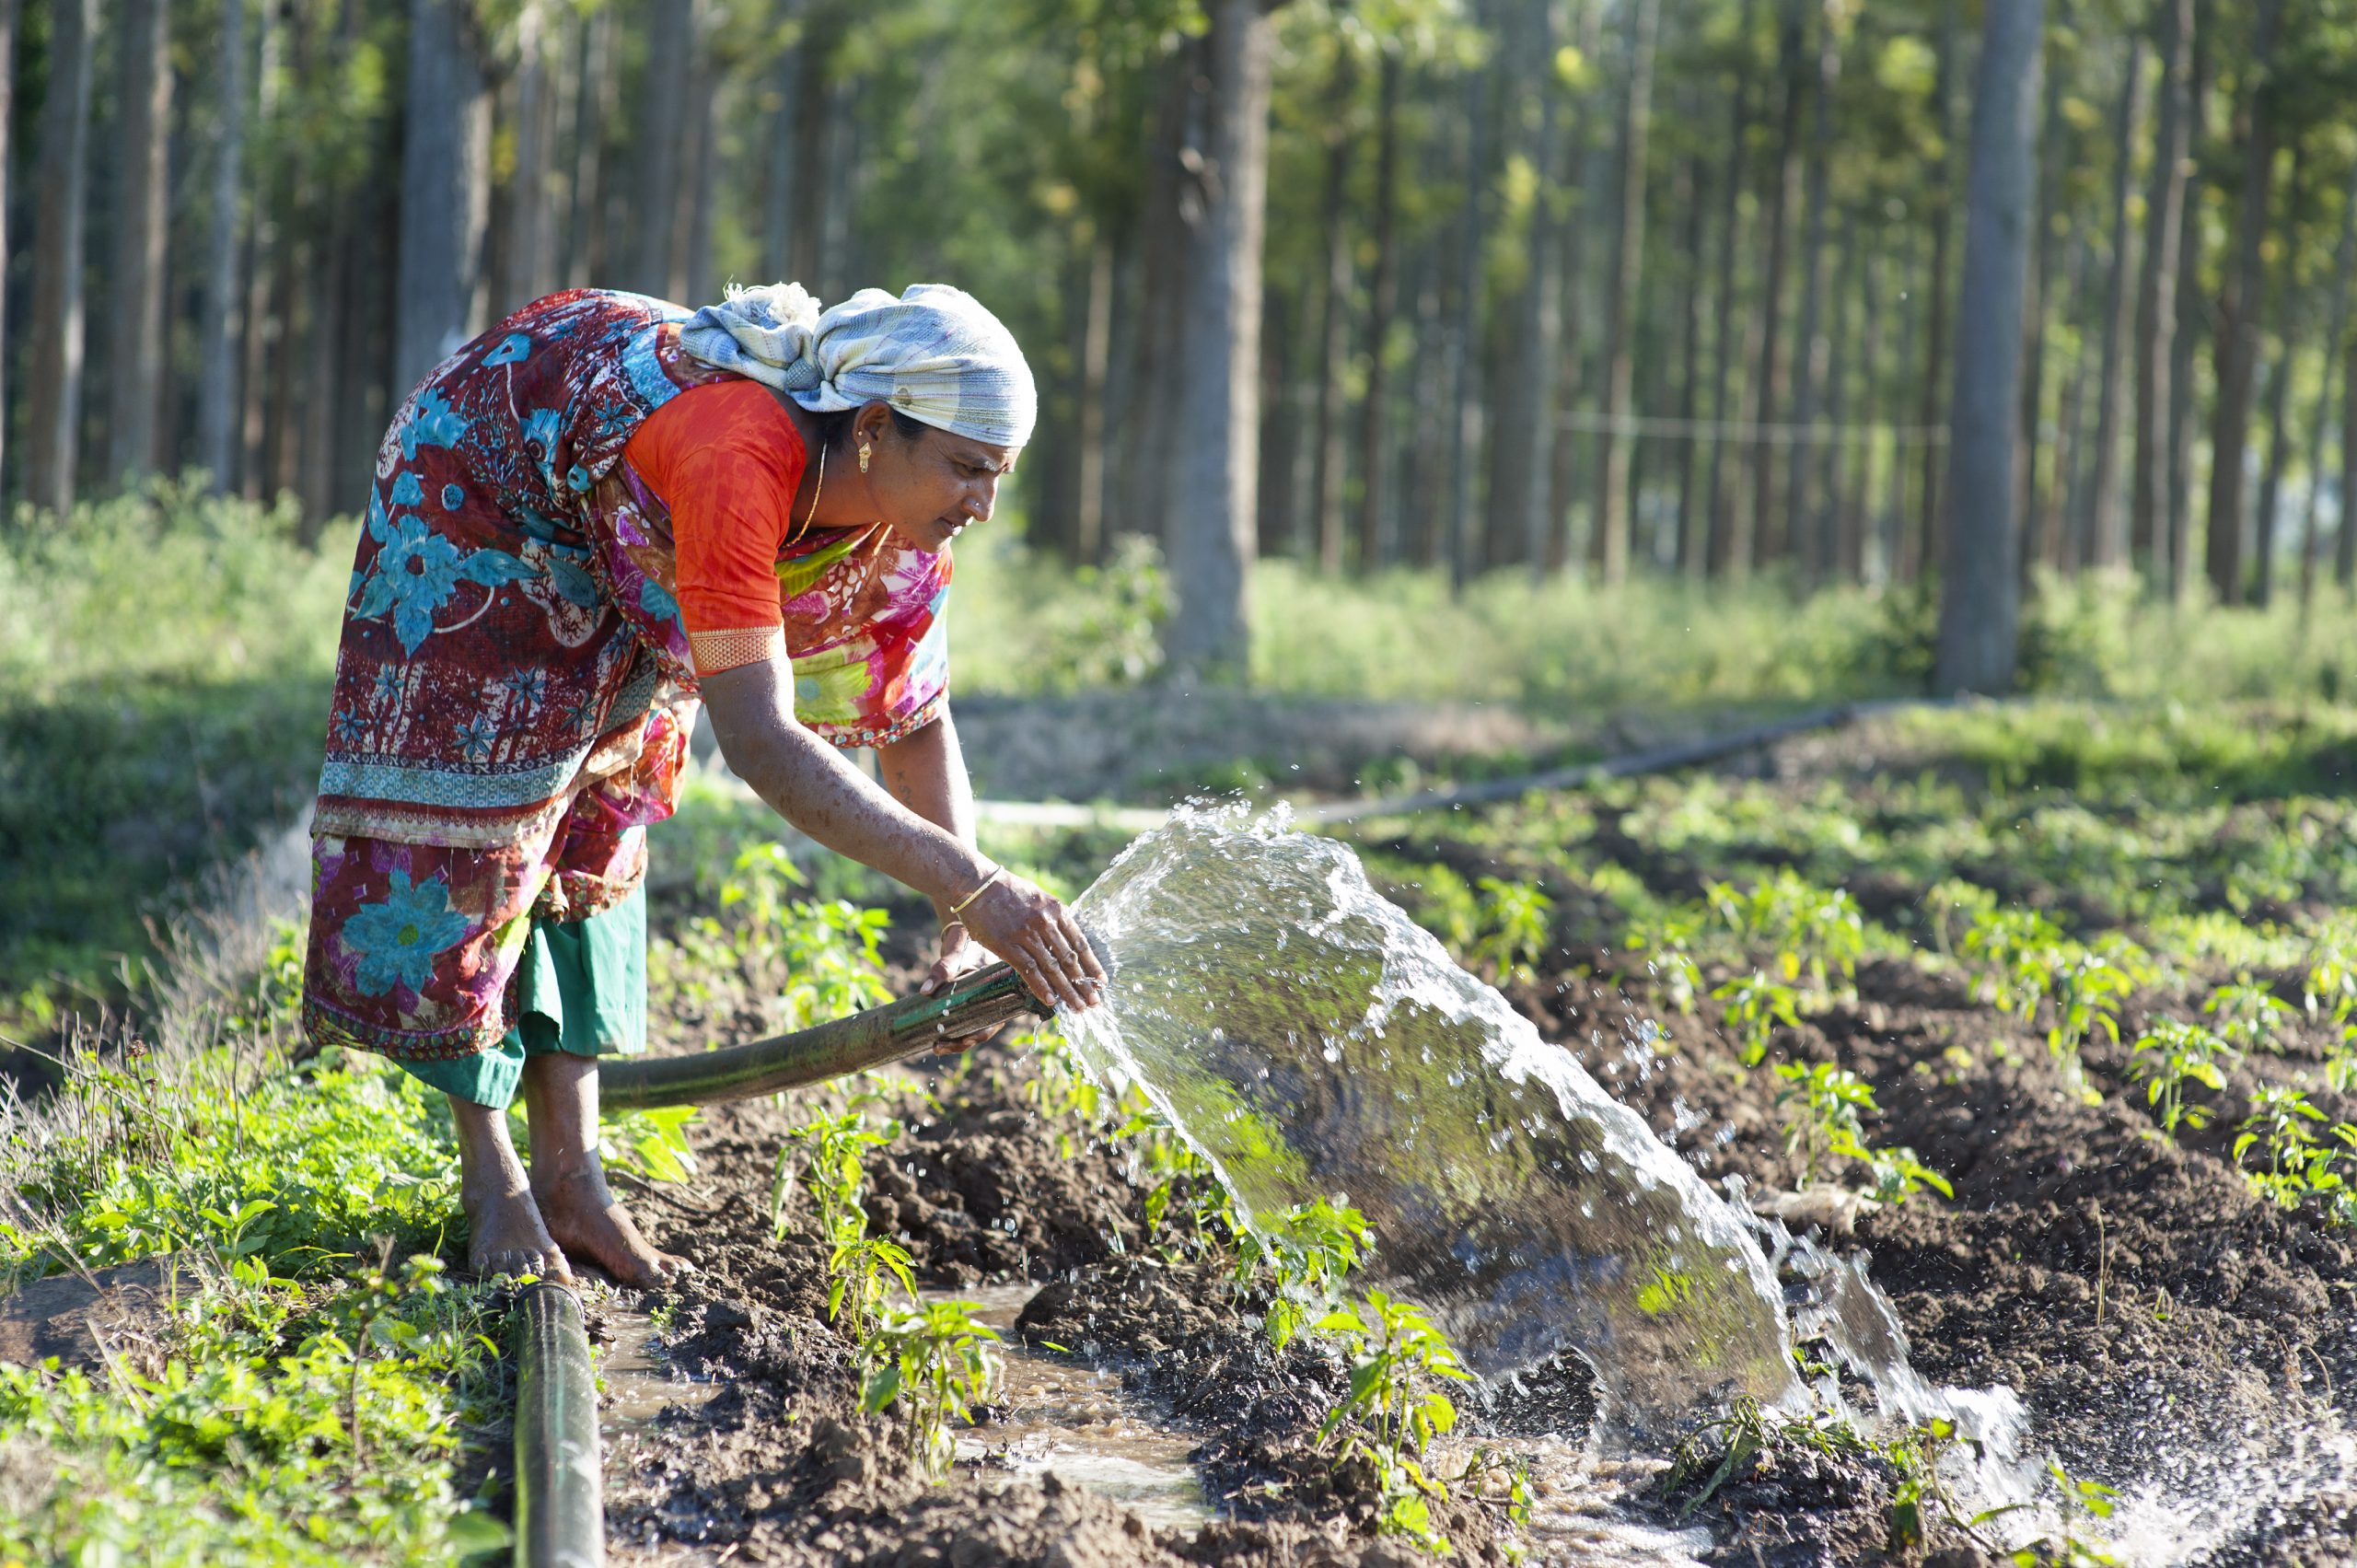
column 581, row 989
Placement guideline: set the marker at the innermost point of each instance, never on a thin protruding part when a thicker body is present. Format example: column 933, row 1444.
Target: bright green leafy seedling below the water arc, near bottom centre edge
column 1392, row 1416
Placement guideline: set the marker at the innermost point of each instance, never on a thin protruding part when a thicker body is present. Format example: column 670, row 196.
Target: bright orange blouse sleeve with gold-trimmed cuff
column 725, row 461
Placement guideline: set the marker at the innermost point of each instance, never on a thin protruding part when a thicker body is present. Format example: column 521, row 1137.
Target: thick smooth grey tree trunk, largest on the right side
column 1981, row 591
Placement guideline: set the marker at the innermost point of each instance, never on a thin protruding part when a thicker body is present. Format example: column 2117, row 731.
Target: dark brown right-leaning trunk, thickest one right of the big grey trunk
column 2243, row 305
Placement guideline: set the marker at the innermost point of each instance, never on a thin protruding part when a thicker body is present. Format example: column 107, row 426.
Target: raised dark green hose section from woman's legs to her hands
column 871, row 1039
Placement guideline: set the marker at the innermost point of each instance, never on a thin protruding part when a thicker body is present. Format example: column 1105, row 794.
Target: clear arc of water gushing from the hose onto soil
column 1309, row 1041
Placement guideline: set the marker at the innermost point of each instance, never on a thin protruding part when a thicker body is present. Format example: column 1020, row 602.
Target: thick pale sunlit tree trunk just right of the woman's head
column 1217, row 407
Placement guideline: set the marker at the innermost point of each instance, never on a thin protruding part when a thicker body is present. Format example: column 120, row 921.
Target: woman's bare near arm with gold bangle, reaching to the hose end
column 817, row 791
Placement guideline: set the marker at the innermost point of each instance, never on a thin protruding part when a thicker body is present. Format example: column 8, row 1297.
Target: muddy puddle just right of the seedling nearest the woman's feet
column 1078, row 1423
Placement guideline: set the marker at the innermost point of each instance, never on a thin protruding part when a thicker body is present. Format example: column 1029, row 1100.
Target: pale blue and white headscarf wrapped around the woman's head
column 935, row 355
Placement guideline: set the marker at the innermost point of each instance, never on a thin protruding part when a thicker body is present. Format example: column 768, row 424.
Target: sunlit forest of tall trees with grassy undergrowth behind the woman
column 1559, row 355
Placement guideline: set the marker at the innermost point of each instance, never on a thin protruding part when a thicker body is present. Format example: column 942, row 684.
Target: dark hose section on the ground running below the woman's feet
column 560, row 1487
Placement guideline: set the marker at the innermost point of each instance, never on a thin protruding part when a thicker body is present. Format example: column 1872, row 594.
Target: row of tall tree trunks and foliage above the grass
column 1465, row 284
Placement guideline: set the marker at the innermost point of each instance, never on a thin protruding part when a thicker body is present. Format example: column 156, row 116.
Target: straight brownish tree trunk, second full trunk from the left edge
column 143, row 190
